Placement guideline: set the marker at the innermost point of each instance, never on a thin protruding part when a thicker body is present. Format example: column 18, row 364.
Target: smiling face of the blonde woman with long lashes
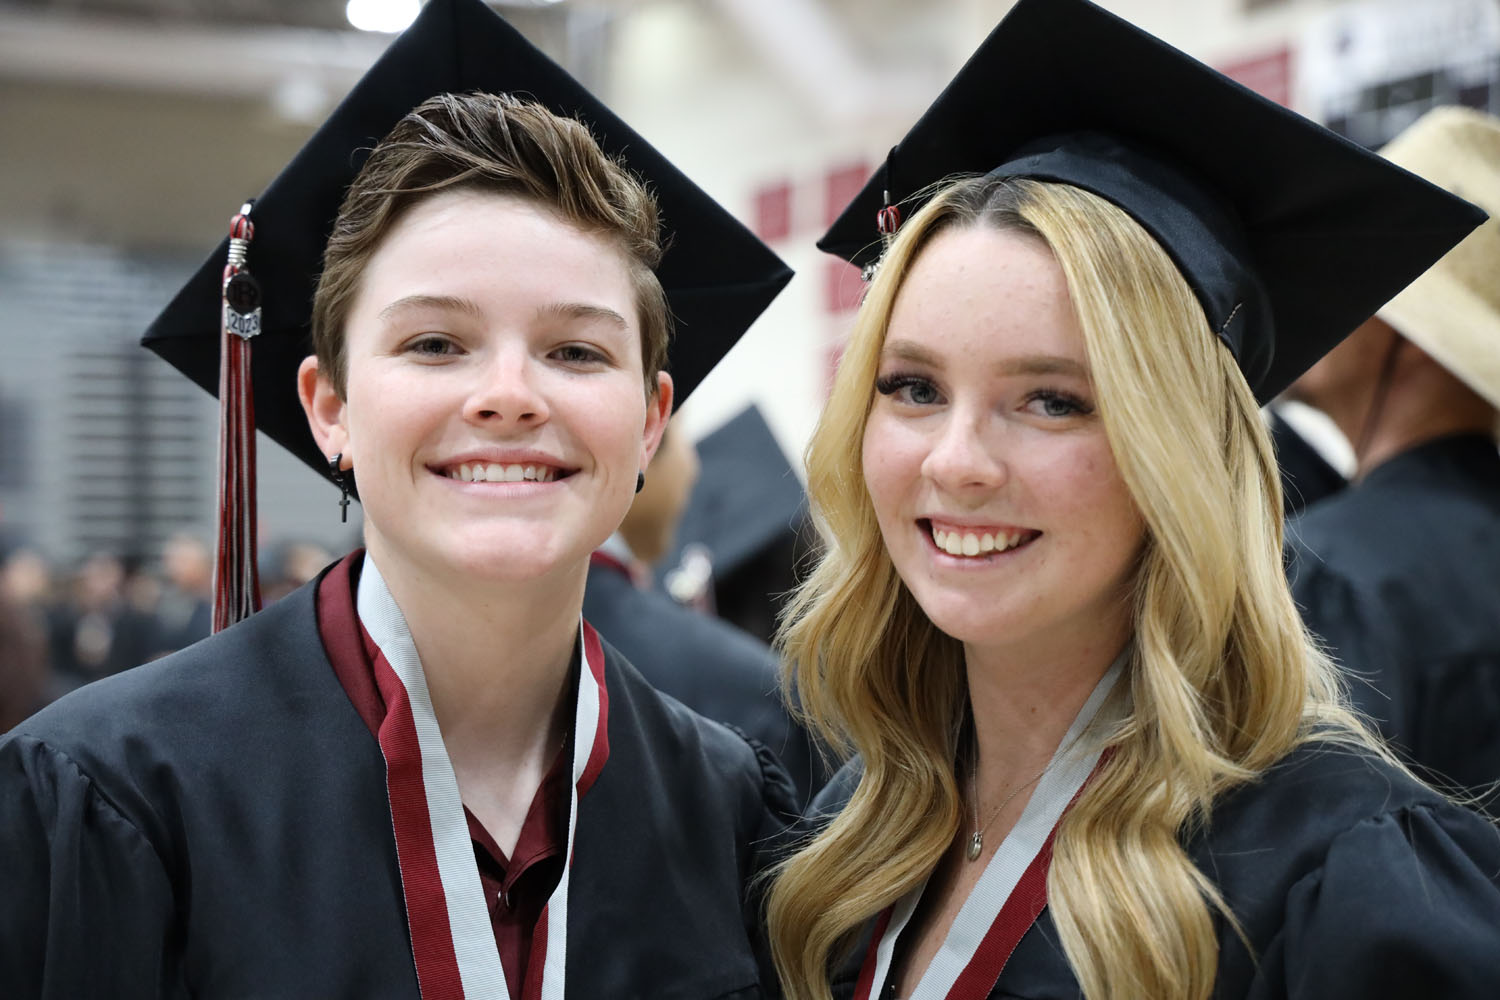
column 986, row 460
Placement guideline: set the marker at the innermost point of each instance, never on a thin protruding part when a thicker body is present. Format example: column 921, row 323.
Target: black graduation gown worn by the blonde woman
column 1349, row 879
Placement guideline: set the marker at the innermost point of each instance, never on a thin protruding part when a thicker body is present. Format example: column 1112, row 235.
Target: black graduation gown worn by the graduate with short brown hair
column 217, row 824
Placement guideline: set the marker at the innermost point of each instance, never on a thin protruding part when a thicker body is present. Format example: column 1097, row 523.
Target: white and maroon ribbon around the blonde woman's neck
column 1013, row 890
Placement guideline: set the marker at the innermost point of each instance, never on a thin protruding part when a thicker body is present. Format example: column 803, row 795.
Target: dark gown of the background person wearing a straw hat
column 1400, row 576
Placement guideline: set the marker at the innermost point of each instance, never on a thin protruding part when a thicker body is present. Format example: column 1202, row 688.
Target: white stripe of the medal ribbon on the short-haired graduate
column 473, row 938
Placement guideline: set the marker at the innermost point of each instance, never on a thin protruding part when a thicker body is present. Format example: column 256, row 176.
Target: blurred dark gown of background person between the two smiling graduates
column 713, row 668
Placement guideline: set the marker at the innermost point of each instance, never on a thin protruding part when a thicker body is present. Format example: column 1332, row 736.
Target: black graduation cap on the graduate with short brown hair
column 716, row 274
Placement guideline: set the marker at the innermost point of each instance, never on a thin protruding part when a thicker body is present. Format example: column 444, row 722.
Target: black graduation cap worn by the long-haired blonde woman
column 1291, row 235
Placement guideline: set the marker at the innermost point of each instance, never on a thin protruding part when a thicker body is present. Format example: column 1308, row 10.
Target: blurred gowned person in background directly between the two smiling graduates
column 704, row 662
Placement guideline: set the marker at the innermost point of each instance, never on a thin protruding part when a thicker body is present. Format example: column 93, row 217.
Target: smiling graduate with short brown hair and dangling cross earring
column 424, row 774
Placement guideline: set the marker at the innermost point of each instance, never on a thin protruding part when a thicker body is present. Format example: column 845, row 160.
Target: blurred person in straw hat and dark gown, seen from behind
column 1400, row 575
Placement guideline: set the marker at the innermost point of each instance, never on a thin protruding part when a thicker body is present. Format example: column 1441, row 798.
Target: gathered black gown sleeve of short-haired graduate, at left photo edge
column 86, row 906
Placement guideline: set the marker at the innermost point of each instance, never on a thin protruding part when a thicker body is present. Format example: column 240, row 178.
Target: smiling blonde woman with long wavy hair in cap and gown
column 1097, row 753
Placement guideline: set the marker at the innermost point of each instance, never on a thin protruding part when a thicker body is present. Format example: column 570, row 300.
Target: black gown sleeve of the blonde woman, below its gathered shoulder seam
column 1406, row 905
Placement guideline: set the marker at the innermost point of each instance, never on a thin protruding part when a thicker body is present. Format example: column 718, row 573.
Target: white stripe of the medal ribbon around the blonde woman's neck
column 1069, row 771
